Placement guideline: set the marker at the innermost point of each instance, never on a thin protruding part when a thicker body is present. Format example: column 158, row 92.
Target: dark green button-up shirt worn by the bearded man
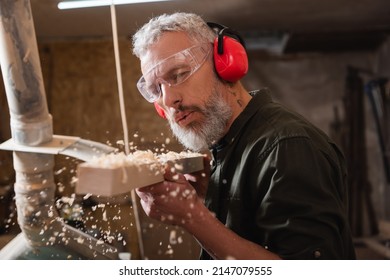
column 280, row 182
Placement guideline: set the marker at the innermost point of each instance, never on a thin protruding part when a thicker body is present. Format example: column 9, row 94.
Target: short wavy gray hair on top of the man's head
column 196, row 28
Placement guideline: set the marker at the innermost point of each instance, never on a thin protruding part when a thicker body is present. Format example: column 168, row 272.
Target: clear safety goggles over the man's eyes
column 172, row 71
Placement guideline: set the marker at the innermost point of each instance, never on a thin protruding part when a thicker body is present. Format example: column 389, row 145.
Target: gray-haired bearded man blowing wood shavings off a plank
column 277, row 185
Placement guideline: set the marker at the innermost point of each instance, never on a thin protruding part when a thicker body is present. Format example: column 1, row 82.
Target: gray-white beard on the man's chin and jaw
column 199, row 136
